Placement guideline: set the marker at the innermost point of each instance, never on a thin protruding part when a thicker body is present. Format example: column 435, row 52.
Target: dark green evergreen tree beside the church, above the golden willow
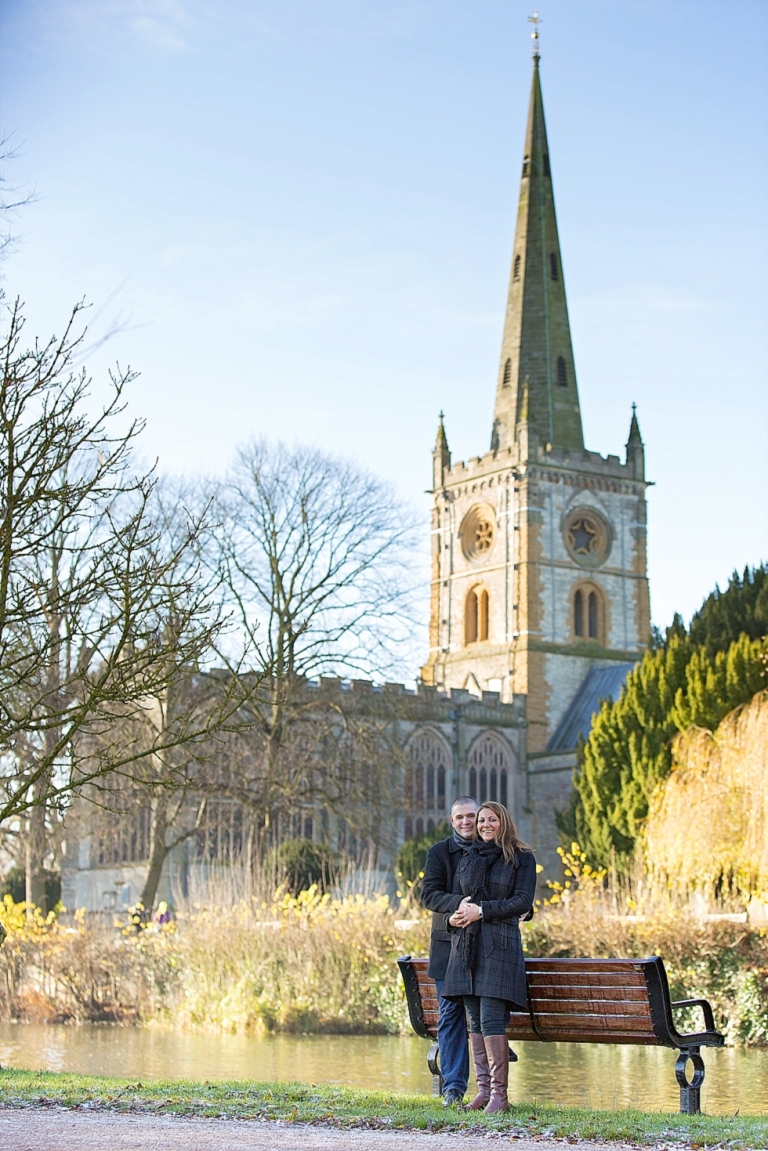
column 691, row 679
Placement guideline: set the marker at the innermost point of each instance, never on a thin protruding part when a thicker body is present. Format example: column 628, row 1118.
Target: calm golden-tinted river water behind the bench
column 568, row 1074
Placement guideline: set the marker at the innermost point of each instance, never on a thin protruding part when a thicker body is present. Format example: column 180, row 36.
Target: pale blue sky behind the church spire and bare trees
column 296, row 218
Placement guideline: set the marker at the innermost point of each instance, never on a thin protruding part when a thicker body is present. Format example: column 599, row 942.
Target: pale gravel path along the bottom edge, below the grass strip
column 59, row 1130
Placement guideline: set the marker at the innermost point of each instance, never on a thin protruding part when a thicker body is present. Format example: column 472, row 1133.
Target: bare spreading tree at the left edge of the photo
column 103, row 615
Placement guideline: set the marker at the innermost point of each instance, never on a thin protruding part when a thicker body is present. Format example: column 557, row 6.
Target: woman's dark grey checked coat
column 500, row 966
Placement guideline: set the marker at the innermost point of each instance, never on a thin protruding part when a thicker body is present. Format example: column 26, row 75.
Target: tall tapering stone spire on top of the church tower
column 537, row 341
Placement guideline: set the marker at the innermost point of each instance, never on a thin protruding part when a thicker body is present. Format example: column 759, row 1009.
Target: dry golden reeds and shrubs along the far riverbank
column 317, row 965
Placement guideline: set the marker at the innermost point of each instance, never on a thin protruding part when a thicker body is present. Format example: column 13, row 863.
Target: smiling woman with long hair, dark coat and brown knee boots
column 486, row 970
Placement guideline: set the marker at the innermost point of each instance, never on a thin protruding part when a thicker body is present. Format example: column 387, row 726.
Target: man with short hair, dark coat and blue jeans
column 437, row 896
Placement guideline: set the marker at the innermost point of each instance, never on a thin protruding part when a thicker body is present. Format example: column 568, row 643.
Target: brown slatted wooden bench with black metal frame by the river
column 585, row 1001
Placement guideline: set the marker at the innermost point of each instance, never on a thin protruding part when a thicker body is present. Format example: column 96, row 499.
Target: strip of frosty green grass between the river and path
column 348, row 1108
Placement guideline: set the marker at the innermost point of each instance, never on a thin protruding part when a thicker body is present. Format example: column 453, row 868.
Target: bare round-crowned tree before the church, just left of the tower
column 317, row 557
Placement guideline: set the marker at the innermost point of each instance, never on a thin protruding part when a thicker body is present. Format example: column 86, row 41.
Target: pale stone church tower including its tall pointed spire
column 538, row 546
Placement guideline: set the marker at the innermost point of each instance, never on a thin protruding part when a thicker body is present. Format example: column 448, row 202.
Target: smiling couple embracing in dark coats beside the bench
column 478, row 885
